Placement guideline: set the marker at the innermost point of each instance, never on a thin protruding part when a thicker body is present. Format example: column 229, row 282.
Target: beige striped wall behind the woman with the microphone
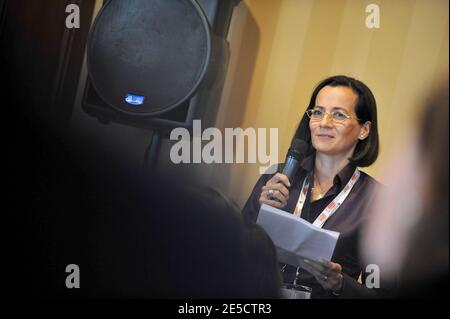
column 282, row 48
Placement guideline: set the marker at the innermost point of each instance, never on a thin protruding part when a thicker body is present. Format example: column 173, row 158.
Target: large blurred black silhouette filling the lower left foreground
column 133, row 236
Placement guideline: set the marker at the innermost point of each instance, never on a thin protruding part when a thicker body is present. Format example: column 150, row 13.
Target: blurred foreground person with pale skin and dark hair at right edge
column 407, row 235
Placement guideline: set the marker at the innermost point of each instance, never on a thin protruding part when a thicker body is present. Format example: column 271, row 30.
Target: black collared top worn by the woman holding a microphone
column 347, row 220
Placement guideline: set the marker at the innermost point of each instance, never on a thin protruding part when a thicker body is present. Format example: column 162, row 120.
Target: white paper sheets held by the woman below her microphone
column 295, row 238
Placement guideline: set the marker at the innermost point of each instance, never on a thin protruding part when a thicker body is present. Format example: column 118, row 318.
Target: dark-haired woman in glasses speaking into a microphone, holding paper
column 340, row 127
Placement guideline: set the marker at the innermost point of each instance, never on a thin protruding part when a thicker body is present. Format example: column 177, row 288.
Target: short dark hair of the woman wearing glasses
column 366, row 151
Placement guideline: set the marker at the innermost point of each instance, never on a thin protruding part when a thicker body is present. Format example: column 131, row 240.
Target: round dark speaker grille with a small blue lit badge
column 146, row 57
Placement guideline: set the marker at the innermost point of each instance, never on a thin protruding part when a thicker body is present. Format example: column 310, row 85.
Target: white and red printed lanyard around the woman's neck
column 333, row 206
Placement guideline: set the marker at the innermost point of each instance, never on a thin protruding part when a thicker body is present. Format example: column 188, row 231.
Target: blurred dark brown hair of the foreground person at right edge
column 426, row 264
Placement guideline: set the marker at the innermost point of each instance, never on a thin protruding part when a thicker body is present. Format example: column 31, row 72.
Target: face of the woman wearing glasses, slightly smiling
column 332, row 137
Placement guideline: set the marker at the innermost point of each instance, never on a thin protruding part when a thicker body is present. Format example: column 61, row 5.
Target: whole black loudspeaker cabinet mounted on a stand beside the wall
column 157, row 64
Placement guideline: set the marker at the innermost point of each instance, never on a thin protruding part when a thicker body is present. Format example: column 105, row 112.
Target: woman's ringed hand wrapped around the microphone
column 275, row 193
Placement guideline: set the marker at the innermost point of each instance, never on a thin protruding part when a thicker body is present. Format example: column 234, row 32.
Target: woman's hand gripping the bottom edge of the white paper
column 328, row 274
